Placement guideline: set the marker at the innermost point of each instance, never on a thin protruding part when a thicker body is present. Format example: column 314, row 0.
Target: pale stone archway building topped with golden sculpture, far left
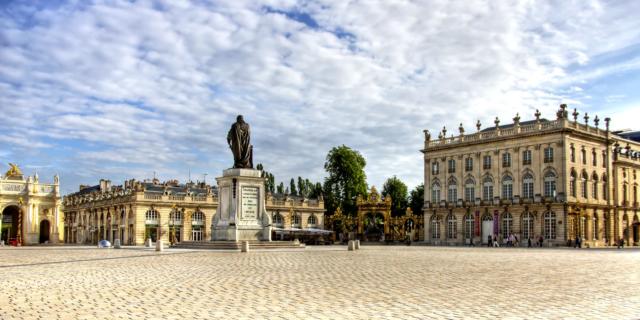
column 29, row 210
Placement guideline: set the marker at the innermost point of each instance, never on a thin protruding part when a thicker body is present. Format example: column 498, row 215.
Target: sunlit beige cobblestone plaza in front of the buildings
column 320, row 283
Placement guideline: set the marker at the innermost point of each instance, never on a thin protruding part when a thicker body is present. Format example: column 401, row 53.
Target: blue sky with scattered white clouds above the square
column 119, row 90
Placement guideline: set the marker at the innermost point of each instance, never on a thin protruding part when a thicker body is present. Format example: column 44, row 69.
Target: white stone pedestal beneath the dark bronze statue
column 241, row 214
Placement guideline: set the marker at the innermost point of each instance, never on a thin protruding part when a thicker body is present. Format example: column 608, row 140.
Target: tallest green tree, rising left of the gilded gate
column 346, row 179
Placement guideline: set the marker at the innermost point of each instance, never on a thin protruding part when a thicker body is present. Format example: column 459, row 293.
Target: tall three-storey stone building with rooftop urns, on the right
column 557, row 179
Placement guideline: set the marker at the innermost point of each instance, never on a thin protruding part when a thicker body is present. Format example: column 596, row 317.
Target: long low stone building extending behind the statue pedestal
column 170, row 210
